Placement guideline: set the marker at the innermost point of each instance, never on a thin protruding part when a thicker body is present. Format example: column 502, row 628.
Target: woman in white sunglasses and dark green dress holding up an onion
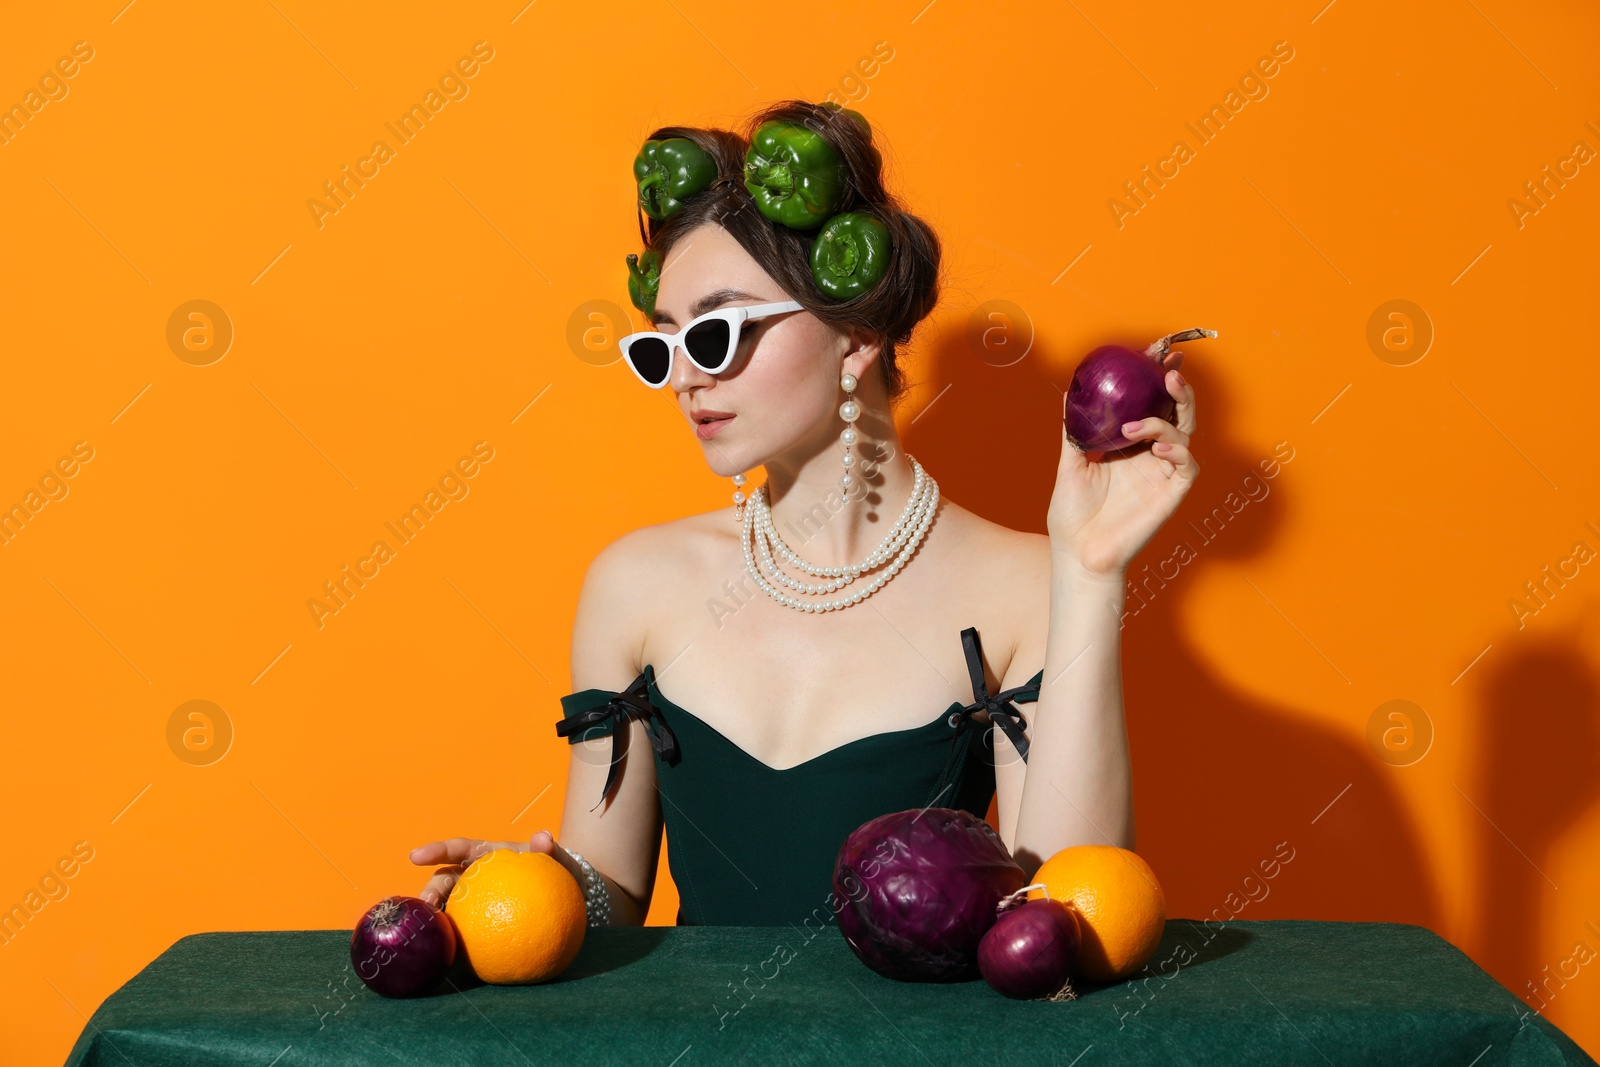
column 770, row 716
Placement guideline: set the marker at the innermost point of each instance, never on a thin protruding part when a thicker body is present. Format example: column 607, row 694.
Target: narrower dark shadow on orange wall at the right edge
column 1537, row 775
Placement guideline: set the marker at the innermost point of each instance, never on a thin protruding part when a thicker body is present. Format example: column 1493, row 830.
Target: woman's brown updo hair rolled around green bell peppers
column 892, row 308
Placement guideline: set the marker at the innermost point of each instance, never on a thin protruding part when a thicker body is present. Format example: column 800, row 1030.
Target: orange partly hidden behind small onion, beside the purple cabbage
column 1121, row 906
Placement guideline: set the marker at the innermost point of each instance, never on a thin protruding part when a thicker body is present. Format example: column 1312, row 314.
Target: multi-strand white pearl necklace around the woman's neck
column 900, row 543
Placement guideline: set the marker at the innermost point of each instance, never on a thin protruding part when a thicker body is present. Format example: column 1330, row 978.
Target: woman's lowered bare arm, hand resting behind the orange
column 622, row 839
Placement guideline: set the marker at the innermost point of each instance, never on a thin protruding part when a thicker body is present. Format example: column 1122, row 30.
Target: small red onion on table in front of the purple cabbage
column 1033, row 949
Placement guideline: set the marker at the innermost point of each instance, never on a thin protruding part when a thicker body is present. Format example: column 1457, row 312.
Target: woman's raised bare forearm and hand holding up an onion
column 1078, row 783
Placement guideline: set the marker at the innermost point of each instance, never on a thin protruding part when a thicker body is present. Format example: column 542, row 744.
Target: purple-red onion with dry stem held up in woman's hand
column 1114, row 386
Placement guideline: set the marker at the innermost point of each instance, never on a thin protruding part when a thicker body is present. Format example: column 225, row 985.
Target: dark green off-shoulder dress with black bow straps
column 751, row 845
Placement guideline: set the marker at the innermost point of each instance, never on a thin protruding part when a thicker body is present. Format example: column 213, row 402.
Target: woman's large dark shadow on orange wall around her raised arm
column 1222, row 778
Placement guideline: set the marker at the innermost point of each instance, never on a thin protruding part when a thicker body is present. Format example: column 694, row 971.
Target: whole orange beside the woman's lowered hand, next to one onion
column 521, row 917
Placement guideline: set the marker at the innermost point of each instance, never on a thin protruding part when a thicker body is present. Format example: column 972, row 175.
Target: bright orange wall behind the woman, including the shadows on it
column 375, row 348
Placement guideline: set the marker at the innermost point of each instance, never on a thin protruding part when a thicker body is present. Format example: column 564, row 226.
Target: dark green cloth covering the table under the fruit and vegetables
column 1265, row 993
